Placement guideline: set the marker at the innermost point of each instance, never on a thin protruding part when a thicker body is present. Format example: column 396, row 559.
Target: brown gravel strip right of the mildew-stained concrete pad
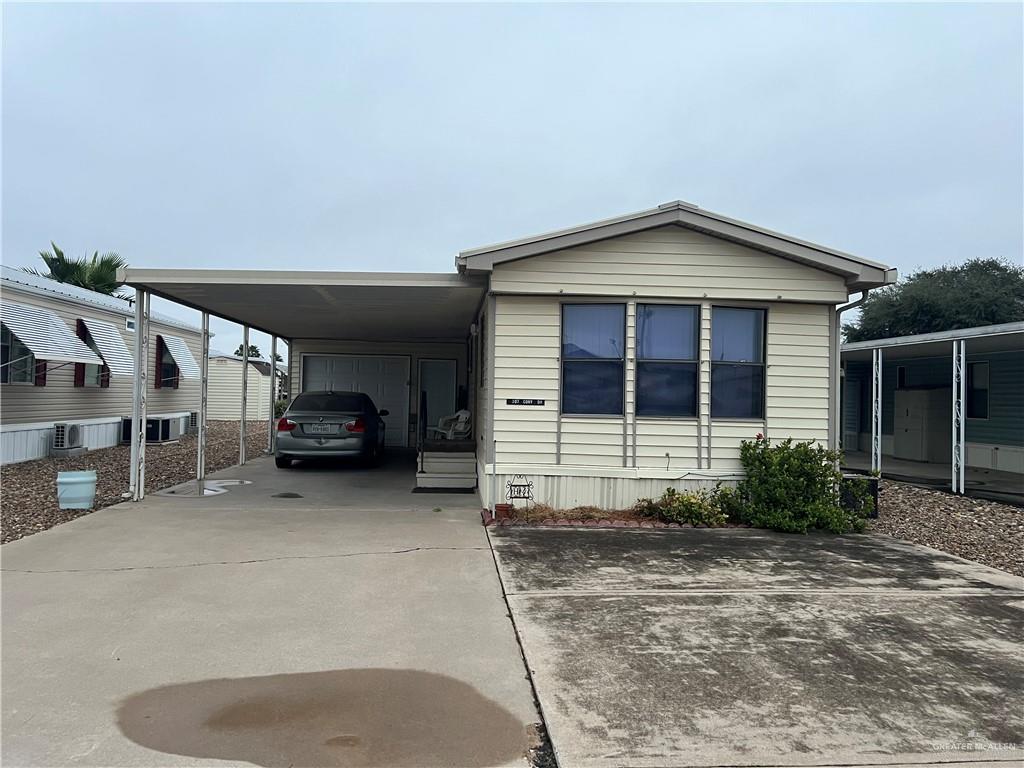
column 989, row 533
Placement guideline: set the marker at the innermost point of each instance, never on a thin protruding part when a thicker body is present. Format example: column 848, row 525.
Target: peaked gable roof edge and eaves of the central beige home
column 859, row 273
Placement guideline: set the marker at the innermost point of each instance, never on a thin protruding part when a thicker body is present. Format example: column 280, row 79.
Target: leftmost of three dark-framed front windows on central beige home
column 593, row 359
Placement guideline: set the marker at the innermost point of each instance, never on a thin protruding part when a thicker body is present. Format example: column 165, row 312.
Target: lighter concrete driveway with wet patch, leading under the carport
column 349, row 623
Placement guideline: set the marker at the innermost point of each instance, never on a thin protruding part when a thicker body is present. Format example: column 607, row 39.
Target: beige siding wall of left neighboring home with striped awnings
column 62, row 401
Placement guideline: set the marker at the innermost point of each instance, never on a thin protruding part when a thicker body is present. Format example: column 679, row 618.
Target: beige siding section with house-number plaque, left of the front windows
column 527, row 346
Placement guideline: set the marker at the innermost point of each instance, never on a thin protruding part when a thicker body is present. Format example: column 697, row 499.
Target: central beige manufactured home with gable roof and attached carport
column 599, row 364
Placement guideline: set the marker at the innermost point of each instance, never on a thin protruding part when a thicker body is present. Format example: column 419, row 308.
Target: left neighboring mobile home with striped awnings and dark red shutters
column 69, row 359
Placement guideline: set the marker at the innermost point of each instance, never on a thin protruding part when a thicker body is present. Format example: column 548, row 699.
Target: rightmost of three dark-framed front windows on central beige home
column 738, row 364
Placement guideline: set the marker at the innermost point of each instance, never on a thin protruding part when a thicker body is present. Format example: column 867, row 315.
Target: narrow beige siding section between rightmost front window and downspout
column 797, row 378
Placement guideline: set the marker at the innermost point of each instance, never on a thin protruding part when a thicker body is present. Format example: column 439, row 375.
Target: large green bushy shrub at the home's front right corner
column 794, row 488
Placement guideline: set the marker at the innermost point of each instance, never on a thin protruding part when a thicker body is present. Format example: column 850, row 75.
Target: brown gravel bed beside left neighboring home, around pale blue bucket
column 29, row 490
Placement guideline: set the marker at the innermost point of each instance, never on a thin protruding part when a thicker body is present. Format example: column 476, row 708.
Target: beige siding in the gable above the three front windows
column 669, row 263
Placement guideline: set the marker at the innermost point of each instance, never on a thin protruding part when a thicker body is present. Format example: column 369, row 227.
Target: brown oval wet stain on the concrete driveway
column 363, row 717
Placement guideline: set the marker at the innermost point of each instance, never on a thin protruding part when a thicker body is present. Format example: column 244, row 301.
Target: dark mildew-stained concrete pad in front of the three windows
column 736, row 648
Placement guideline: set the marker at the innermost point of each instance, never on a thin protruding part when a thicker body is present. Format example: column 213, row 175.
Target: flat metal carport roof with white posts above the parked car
column 365, row 307
